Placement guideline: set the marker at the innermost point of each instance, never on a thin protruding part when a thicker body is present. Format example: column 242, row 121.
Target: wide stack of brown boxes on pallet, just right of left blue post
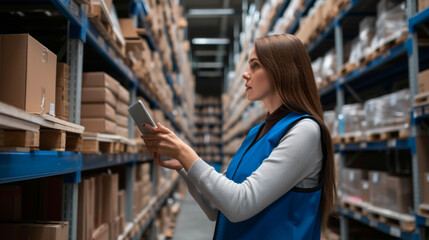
column 98, row 109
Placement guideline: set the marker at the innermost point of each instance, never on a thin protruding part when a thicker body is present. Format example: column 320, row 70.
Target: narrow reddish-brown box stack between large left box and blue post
column 62, row 104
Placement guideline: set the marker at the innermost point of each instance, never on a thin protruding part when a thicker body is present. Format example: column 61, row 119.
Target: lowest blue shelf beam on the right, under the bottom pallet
column 393, row 231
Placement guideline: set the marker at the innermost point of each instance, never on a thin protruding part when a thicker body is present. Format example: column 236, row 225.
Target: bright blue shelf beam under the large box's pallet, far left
column 18, row 166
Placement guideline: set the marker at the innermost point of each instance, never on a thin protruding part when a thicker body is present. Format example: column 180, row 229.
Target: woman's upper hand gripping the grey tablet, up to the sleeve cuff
column 163, row 141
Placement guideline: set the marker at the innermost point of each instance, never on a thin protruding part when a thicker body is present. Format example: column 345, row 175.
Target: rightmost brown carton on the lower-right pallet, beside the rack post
column 399, row 194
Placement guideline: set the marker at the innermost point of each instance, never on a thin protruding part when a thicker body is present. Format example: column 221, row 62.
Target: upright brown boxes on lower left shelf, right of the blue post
column 99, row 215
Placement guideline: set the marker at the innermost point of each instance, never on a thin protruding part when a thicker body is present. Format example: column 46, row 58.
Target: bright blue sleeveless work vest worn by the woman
column 295, row 215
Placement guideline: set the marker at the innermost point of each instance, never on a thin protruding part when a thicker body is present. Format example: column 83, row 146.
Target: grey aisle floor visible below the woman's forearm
column 192, row 223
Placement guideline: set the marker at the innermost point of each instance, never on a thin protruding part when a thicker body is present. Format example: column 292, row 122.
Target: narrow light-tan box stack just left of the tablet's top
column 122, row 104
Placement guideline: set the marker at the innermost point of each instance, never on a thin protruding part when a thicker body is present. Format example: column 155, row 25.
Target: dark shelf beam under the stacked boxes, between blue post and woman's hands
column 96, row 161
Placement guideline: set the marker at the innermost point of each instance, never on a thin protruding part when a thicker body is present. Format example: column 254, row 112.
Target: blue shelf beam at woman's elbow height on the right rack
column 395, row 144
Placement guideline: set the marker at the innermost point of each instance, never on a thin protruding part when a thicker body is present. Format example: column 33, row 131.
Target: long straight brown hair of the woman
column 286, row 59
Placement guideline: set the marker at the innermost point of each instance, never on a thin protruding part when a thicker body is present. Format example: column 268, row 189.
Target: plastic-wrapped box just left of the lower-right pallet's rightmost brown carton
column 377, row 188
